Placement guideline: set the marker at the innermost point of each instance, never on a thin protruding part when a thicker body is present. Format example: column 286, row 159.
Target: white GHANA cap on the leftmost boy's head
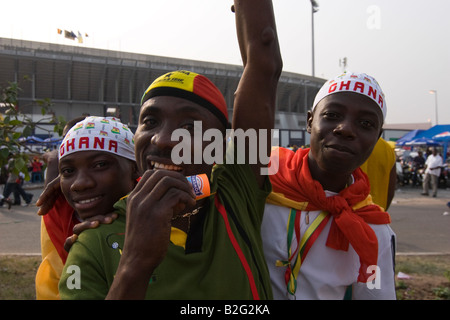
column 101, row 134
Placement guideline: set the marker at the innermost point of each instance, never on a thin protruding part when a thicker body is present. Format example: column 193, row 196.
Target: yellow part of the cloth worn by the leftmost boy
column 49, row 272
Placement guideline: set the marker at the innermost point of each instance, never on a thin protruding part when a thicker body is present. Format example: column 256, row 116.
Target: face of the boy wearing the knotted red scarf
column 344, row 129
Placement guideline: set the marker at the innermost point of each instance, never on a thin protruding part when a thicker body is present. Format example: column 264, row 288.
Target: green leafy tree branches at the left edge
column 16, row 124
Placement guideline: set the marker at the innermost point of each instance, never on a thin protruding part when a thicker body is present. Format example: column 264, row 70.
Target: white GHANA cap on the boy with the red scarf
column 360, row 83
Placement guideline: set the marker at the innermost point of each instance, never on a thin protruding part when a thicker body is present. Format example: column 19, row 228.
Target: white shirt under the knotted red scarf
column 325, row 273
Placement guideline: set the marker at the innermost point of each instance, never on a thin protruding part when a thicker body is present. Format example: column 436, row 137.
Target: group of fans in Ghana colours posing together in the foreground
column 121, row 221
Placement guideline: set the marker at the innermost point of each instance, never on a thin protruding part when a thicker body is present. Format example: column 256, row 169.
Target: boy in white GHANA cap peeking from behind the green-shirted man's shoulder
column 96, row 154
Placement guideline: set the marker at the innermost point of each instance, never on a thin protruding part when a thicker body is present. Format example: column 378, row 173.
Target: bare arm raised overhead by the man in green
column 255, row 97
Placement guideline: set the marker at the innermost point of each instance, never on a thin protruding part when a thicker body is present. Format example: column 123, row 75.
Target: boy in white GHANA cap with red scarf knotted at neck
column 322, row 233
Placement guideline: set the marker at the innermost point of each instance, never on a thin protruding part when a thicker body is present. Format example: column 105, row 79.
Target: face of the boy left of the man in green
column 92, row 181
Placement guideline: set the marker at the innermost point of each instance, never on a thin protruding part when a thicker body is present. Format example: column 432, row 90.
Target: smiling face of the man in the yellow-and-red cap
column 159, row 117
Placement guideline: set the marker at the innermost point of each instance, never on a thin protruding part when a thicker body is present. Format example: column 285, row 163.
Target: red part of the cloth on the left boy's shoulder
column 59, row 222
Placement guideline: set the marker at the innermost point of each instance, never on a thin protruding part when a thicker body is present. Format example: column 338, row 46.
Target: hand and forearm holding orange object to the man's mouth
column 158, row 197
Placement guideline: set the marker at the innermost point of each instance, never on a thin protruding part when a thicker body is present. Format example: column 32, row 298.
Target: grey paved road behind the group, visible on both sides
column 422, row 224
